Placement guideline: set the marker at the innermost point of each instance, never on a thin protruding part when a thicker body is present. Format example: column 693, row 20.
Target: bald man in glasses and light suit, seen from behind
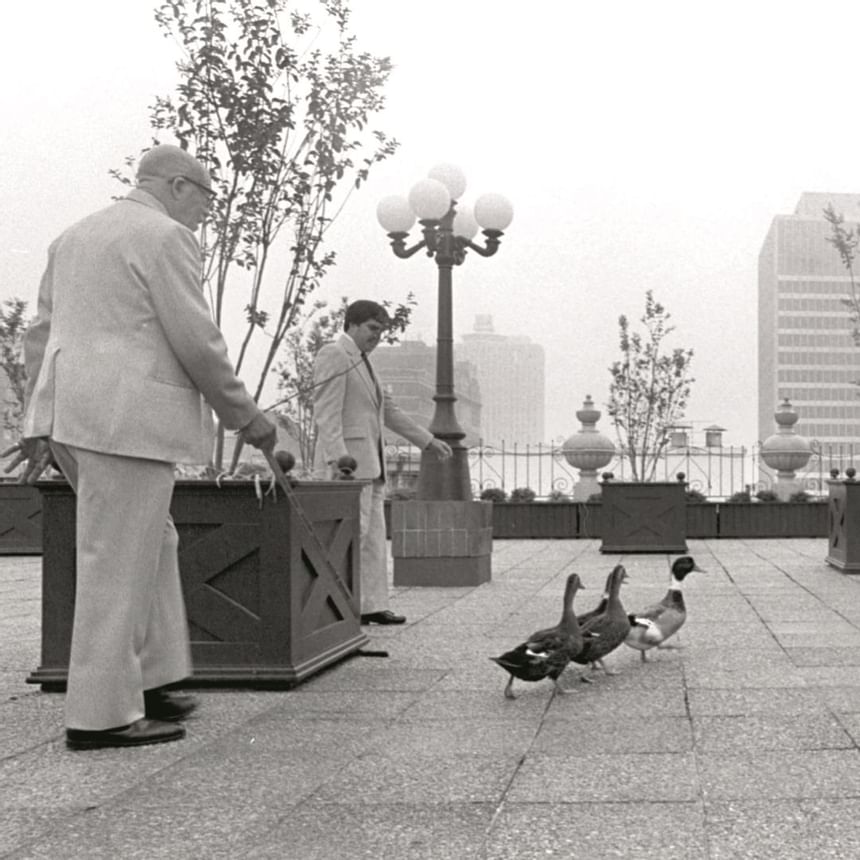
column 122, row 361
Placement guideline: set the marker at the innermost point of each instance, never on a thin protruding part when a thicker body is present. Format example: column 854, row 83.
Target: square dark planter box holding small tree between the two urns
column 644, row 517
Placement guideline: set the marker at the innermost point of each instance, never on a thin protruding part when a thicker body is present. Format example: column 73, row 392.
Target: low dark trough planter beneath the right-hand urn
column 773, row 519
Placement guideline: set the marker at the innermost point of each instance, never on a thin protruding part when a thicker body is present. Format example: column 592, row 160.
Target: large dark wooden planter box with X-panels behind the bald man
column 264, row 608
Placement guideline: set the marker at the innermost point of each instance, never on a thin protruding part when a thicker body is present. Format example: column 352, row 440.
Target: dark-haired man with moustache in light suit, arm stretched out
column 350, row 409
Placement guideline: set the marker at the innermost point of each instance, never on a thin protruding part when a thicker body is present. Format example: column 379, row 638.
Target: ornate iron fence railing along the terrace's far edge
column 716, row 472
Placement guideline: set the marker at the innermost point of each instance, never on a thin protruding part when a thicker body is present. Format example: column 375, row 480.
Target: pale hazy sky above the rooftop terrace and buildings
column 643, row 145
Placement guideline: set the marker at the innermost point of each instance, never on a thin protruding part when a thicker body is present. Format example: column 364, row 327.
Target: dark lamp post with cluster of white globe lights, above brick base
column 447, row 232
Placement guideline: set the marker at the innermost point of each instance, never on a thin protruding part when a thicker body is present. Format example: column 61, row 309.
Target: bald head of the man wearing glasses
column 178, row 181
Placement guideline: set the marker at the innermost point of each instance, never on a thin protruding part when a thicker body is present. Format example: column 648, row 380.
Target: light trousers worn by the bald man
column 130, row 630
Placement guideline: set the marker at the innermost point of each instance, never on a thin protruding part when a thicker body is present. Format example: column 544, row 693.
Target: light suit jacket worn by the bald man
column 124, row 344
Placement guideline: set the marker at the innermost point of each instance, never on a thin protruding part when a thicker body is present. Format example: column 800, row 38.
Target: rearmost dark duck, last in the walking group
column 546, row 653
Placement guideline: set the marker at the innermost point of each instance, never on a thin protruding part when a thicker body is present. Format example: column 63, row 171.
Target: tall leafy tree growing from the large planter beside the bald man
column 282, row 126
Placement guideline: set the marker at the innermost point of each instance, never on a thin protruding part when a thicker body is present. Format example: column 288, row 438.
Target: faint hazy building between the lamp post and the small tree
column 510, row 372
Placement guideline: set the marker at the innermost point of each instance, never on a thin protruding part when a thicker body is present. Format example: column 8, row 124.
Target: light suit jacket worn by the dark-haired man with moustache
column 350, row 410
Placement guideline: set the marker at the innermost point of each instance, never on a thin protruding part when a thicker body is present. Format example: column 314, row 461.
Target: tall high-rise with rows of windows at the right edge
column 806, row 351
